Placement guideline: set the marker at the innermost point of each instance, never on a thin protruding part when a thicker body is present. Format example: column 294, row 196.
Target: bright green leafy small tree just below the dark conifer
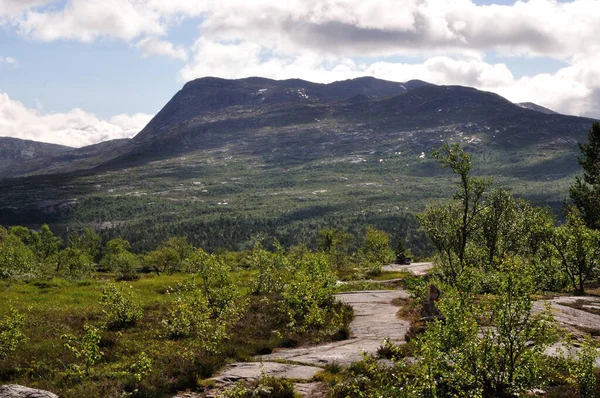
column 578, row 248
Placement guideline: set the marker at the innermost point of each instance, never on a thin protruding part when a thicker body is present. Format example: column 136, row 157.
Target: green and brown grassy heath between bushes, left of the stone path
column 56, row 307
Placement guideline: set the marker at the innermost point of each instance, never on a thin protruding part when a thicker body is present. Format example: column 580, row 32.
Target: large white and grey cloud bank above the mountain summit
column 324, row 40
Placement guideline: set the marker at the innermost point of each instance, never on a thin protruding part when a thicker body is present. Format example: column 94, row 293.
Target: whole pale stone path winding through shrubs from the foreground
column 375, row 319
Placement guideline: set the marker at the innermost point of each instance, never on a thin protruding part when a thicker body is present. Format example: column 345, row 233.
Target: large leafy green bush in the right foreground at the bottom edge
column 490, row 347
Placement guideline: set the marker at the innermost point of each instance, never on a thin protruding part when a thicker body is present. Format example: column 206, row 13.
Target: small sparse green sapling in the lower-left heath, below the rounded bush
column 85, row 347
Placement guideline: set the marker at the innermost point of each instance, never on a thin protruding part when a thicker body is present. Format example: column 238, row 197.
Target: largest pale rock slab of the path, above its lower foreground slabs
column 374, row 320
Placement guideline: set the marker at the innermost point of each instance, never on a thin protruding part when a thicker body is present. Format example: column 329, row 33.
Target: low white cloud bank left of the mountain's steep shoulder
column 75, row 128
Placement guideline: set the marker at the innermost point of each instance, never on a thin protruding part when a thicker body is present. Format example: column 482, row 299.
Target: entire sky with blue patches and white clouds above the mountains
column 78, row 72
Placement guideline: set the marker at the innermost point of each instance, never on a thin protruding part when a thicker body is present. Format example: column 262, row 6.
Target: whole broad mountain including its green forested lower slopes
column 228, row 160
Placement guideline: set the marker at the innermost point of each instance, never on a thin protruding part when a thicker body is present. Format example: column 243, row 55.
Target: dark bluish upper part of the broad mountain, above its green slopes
column 296, row 116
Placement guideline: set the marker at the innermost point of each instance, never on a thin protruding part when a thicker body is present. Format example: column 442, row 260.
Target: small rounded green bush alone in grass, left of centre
column 119, row 309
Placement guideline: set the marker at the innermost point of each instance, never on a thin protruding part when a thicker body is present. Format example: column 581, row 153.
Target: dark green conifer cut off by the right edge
column 585, row 192
